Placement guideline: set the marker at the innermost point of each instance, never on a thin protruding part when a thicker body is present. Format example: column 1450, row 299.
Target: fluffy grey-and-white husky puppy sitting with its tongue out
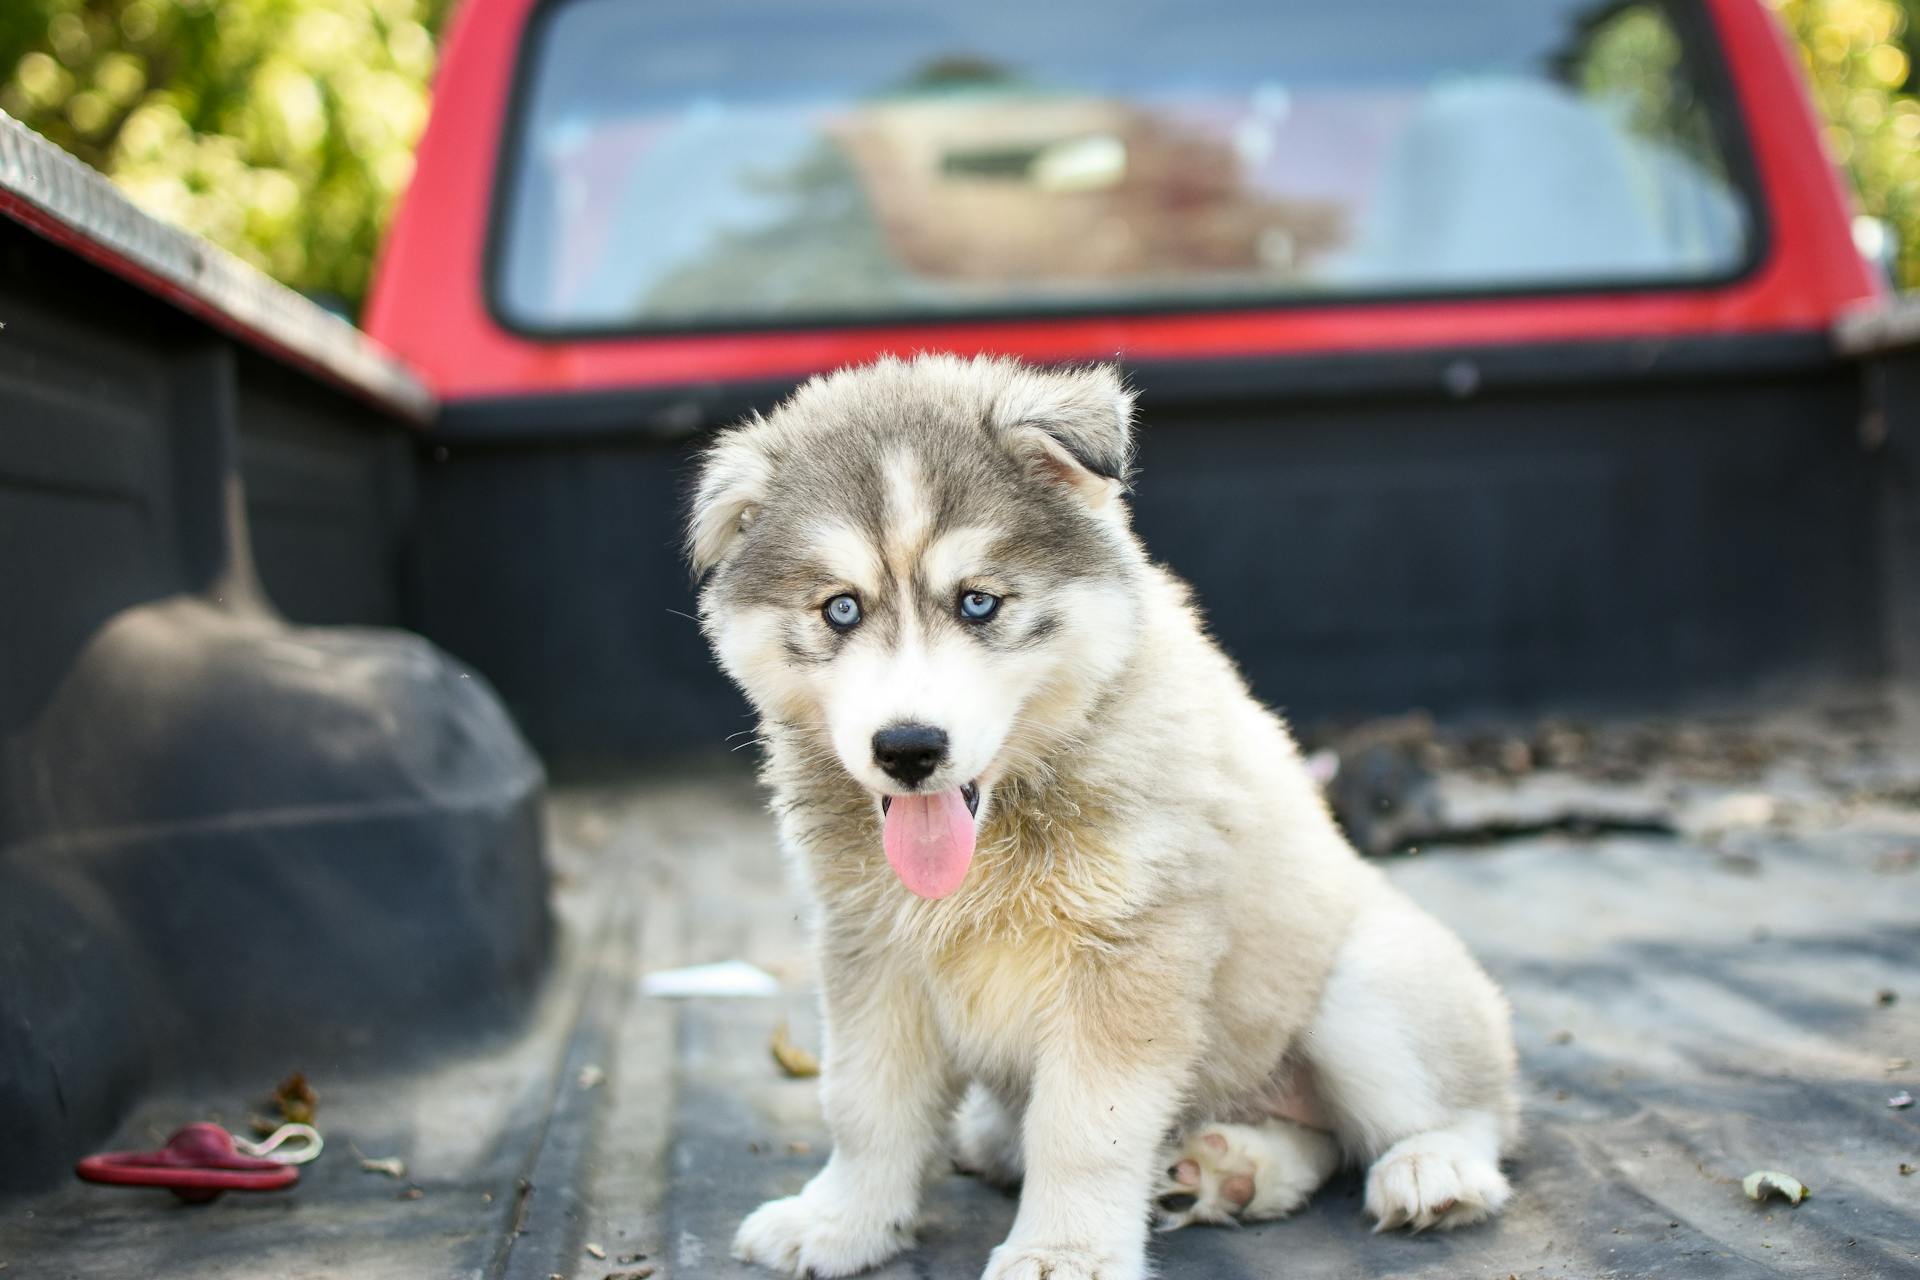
column 1076, row 901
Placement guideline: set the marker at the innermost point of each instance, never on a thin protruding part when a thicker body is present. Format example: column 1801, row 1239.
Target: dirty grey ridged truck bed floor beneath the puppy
column 1692, row 1007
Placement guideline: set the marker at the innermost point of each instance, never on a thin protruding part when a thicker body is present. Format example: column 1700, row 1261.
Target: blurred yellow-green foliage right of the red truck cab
column 1861, row 59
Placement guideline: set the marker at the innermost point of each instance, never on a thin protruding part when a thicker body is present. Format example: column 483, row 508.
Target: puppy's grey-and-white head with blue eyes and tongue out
column 926, row 567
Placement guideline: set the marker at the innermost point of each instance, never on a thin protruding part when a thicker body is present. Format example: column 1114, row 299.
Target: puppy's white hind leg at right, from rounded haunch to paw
column 1414, row 1056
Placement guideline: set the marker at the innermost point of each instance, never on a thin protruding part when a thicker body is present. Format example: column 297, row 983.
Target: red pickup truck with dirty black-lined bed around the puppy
column 1497, row 360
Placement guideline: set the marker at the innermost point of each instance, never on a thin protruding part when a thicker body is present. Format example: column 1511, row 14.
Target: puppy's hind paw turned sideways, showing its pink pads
column 1243, row 1173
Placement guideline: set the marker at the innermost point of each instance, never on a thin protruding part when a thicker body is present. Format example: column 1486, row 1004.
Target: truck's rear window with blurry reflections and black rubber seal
column 754, row 162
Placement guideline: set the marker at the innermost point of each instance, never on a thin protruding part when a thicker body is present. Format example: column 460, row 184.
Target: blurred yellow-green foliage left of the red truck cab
column 281, row 130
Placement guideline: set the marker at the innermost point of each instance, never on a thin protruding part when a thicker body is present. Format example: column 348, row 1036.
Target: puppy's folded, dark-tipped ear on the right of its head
column 1074, row 425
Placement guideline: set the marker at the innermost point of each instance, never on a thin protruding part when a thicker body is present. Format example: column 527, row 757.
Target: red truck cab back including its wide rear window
column 1234, row 181
